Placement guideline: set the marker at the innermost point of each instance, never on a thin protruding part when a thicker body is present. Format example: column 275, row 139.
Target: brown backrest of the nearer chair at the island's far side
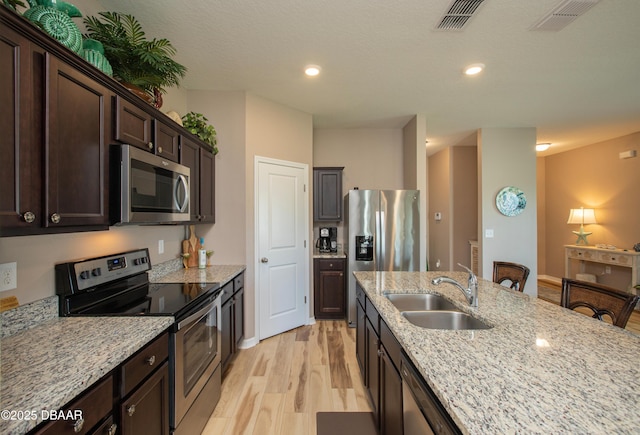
column 602, row 300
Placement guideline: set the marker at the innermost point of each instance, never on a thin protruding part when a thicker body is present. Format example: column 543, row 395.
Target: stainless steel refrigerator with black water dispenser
column 382, row 233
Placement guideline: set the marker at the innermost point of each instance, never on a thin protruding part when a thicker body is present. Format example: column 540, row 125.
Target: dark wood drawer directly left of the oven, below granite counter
column 143, row 363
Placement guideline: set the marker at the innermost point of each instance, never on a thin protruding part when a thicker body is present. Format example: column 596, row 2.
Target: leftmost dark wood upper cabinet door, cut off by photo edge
column 21, row 84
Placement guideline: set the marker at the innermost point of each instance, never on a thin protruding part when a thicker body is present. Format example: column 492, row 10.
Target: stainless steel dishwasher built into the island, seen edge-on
column 422, row 412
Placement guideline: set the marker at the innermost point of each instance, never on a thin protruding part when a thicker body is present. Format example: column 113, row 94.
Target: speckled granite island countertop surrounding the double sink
column 540, row 369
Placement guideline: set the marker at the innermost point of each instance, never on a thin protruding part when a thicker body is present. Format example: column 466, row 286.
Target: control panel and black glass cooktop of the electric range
column 118, row 284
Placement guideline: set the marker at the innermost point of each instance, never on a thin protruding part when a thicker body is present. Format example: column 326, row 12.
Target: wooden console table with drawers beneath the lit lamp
column 614, row 257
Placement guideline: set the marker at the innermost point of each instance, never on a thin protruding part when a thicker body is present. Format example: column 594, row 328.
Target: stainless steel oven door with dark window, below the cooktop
column 197, row 354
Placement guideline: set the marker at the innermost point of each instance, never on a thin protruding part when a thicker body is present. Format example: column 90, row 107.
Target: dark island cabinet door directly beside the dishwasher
column 390, row 396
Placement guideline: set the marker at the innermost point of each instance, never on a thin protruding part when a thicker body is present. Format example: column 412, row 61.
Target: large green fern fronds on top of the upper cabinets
column 135, row 60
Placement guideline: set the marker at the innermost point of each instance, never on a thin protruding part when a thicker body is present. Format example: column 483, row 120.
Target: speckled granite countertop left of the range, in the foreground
column 45, row 367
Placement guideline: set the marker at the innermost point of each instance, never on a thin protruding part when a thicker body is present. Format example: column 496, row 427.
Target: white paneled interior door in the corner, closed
column 282, row 255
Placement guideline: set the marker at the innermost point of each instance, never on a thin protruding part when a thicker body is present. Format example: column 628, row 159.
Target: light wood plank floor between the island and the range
column 278, row 386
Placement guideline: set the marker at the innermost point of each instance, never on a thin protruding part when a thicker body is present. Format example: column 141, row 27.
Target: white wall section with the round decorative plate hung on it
column 506, row 157
